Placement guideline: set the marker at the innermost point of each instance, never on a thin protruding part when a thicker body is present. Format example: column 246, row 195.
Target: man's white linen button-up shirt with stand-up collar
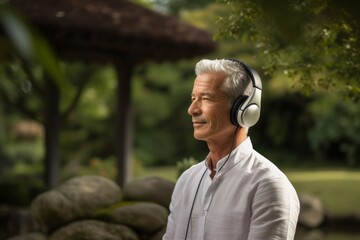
column 249, row 198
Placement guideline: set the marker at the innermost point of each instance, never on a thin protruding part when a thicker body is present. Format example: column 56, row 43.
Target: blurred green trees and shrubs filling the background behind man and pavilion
column 293, row 129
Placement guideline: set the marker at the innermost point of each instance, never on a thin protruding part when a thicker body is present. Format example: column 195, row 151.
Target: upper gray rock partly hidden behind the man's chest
column 150, row 189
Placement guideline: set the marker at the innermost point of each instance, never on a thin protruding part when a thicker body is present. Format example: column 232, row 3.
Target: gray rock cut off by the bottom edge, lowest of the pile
column 94, row 230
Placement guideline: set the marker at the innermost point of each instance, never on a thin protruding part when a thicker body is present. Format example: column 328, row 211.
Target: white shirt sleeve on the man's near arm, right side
column 275, row 211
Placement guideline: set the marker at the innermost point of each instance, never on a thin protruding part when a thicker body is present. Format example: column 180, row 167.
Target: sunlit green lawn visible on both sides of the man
column 339, row 190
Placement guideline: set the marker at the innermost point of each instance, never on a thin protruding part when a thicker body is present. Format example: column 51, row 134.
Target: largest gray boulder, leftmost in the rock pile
column 77, row 198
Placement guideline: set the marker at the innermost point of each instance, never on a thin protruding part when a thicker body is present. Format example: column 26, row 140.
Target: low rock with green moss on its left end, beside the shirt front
column 145, row 217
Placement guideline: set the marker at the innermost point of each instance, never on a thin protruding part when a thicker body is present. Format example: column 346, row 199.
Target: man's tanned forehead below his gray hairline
column 210, row 82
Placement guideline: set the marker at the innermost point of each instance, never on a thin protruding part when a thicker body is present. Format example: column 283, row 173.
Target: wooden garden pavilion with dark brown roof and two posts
column 116, row 31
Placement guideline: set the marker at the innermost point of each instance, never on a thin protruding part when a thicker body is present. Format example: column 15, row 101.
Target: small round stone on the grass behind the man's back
column 312, row 211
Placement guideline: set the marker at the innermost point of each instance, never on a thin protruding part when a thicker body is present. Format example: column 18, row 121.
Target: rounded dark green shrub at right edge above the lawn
column 336, row 129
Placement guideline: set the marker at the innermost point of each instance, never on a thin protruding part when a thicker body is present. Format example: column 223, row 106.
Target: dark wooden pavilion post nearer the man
column 124, row 68
